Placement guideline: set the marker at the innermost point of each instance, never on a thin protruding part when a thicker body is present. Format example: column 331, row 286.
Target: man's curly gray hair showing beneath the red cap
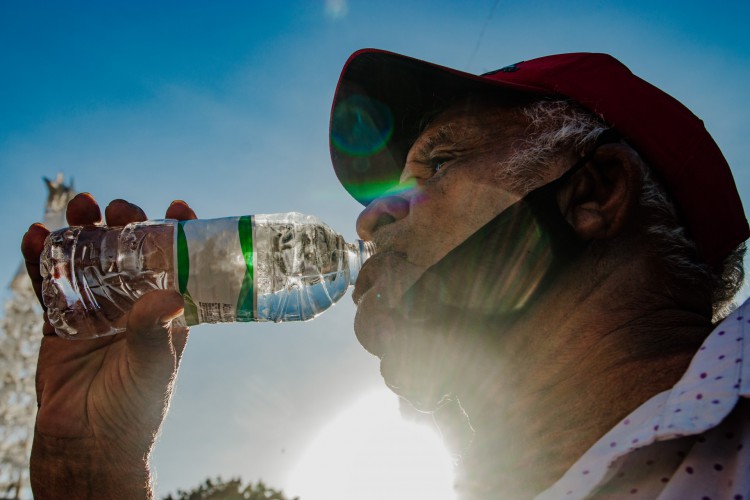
column 562, row 127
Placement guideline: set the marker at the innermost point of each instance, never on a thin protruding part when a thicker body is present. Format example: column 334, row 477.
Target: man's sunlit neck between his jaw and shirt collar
column 559, row 380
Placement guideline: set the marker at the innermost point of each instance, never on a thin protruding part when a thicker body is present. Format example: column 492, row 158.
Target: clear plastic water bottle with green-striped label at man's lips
column 279, row 267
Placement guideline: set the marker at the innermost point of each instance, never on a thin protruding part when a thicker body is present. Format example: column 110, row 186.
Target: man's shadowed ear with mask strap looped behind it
column 600, row 199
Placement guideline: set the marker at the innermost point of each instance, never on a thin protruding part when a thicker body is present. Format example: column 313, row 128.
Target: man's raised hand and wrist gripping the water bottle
column 101, row 402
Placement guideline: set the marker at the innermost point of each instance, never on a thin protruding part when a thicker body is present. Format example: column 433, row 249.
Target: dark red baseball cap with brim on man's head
column 382, row 99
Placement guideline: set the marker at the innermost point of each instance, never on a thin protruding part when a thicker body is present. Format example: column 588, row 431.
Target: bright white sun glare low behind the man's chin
column 369, row 452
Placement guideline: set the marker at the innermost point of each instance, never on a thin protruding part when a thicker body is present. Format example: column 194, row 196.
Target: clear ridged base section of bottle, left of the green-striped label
column 92, row 277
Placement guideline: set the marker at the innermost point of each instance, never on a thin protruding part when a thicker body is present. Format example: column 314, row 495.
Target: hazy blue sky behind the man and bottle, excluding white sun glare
column 225, row 104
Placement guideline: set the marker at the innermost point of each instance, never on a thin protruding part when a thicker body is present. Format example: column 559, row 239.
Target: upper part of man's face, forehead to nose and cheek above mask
column 452, row 183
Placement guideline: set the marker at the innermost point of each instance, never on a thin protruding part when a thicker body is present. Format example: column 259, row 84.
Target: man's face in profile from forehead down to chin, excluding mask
column 454, row 181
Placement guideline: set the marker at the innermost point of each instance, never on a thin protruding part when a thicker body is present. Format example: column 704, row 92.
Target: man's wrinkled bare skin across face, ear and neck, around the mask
column 542, row 383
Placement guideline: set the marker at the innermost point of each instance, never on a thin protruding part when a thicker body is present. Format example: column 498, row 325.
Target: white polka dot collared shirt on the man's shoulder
column 690, row 442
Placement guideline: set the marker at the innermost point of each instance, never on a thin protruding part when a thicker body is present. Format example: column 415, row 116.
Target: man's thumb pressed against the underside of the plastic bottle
column 149, row 328
